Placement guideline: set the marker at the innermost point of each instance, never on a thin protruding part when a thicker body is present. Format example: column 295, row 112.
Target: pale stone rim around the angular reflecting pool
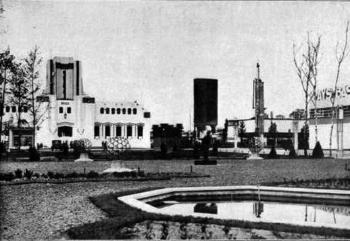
column 138, row 200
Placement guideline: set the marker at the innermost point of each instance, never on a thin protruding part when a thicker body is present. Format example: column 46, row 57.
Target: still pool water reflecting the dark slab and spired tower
column 293, row 213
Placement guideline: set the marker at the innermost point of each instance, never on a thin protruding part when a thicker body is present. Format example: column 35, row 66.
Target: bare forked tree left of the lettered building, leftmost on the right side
column 306, row 64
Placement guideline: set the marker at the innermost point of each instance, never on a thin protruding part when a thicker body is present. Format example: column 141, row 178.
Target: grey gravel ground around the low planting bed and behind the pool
column 41, row 211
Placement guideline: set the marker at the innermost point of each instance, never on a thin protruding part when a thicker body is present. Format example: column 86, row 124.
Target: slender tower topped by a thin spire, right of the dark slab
column 258, row 103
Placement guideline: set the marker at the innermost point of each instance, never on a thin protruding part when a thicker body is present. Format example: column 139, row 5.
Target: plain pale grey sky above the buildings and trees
column 151, row 51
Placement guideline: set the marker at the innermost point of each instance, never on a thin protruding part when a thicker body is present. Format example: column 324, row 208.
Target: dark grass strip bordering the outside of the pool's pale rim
column 121, row 215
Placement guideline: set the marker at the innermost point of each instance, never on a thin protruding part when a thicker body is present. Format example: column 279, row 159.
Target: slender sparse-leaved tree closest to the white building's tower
column 36, row 109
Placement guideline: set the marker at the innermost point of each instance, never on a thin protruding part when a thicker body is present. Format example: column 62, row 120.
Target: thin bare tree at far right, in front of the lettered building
column 340, row 53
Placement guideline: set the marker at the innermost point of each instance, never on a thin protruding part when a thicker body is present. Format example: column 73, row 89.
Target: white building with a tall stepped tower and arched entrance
column 71, row 114
